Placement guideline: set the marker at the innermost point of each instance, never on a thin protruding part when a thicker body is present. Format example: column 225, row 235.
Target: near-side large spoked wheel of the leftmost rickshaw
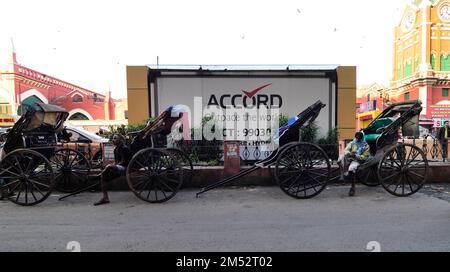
column 27, row 177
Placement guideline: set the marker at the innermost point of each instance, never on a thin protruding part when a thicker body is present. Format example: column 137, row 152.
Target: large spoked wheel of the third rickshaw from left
column 302, row 170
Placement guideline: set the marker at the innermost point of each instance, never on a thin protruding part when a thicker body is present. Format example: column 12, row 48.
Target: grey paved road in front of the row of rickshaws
column 234, row 219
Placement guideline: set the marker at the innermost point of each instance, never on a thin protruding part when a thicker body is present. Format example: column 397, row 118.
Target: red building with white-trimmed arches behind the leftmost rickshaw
column 21, row 86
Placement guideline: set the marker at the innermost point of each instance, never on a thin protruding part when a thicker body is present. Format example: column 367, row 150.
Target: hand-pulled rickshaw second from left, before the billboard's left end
column 156, row 172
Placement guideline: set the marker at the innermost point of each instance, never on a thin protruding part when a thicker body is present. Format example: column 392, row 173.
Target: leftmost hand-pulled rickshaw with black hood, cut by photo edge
column 32, row 164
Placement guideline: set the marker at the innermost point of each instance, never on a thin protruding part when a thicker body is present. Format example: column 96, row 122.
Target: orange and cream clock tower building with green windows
column 421, row 63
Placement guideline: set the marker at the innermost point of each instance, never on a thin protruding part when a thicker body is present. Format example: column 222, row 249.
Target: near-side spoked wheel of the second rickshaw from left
column 154, row 175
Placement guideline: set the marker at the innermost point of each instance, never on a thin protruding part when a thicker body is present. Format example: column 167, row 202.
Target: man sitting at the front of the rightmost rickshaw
column 356, row 153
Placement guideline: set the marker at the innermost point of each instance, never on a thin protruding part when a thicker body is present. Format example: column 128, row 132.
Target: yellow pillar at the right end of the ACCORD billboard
column 346, row 99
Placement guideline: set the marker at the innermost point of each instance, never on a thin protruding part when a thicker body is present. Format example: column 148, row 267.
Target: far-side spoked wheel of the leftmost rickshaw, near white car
column 71, row 168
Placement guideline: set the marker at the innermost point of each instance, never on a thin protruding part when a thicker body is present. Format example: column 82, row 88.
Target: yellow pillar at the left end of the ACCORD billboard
column 138, row 100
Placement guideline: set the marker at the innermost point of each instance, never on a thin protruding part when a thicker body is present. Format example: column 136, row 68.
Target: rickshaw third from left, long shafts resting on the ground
column 301, row 169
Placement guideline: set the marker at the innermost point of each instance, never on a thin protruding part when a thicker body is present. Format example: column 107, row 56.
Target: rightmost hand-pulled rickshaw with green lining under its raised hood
column 400, row 168
